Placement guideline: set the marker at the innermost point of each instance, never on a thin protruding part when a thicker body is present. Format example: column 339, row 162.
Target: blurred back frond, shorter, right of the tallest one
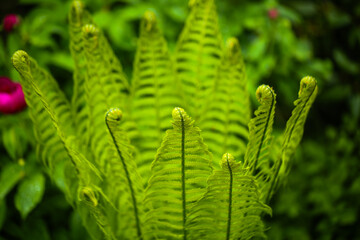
column 225, row 120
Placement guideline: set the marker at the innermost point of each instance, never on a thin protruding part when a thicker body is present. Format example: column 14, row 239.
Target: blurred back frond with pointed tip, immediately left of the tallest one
column 154, row 91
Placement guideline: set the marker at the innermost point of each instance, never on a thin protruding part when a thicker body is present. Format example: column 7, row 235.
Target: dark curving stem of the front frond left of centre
column 133, row 197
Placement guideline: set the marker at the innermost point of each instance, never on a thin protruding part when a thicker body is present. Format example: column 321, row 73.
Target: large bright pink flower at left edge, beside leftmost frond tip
column 11, row 96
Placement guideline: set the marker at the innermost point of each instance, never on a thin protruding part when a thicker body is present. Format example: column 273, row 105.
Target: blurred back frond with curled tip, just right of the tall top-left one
column 105, row 87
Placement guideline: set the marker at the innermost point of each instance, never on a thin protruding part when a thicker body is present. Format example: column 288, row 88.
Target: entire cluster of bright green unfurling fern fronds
column 133, row 162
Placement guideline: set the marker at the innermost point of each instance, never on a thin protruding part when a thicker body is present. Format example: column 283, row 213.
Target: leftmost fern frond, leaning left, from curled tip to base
column 51, row 105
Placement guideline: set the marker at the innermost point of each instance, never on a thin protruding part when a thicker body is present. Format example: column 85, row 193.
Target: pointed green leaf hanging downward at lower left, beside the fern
column 29, row 194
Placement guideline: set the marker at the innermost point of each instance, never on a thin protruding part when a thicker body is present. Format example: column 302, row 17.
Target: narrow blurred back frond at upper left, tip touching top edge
column 78, row 17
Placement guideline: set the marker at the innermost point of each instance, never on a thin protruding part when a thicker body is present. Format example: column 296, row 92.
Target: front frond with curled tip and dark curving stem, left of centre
column 124, row 183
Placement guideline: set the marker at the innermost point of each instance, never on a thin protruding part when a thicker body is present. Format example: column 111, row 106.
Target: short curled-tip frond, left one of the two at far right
column 260, row 128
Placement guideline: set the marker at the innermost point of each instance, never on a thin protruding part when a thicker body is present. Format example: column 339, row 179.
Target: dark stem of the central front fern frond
column 183, row 171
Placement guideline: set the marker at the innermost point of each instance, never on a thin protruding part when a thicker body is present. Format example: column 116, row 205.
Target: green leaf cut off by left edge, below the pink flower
column 10, row 175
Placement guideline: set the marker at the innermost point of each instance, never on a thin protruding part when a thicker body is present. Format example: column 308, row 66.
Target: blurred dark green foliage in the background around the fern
column 318, row 38
